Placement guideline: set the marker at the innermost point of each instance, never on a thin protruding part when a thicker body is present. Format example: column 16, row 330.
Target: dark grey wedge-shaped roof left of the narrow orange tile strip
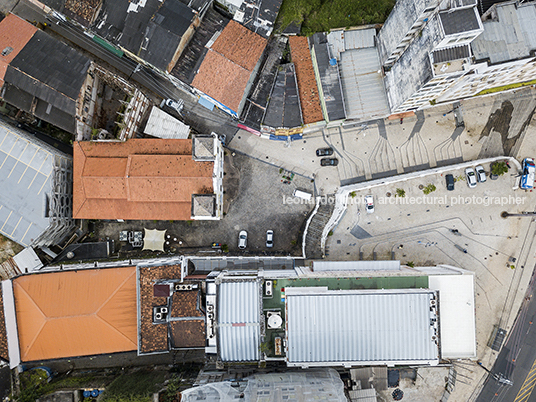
column 284, row 107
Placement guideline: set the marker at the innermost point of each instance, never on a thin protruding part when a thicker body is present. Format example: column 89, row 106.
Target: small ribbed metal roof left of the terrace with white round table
column 239, row 321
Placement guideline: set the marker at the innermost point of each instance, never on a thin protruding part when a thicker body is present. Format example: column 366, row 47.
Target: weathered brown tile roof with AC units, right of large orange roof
column 153, row 337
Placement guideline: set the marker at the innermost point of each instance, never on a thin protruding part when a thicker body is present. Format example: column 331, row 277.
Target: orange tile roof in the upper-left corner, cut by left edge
column 14, row 33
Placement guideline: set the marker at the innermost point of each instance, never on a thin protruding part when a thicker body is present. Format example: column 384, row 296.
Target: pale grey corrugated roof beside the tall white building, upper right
column 362, row 84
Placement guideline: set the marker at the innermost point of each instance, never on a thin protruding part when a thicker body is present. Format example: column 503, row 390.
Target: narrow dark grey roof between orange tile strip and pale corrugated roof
column 329, row 77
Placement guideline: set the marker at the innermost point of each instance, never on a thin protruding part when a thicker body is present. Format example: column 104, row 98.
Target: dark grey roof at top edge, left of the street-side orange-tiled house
column 164, row 33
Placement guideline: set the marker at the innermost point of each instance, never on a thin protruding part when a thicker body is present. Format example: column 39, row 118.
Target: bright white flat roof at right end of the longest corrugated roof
column 457, row 313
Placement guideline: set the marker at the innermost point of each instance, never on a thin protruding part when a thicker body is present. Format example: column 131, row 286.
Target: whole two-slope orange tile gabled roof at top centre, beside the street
column 227, row 67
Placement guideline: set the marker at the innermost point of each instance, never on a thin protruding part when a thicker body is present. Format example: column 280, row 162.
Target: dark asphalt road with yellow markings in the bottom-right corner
column 517, row 359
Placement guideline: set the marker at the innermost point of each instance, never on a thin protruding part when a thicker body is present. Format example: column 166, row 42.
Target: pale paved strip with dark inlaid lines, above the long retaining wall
column 493, row 126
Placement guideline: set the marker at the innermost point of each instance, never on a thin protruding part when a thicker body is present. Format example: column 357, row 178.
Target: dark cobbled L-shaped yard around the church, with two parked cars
column 255, row 200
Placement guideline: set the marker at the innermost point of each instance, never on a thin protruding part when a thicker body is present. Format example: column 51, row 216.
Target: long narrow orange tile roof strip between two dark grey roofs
column 305, row 75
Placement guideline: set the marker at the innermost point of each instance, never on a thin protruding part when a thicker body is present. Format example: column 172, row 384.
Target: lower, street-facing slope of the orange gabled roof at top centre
column 231, row 83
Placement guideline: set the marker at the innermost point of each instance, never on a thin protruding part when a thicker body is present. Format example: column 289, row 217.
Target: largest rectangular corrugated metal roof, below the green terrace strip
column 359, row 327
